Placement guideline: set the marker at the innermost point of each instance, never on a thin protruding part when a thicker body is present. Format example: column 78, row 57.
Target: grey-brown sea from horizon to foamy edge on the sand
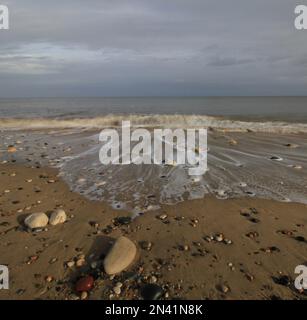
column 257, row 146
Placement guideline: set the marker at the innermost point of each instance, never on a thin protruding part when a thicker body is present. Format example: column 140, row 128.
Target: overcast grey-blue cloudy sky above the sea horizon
column 152, row 47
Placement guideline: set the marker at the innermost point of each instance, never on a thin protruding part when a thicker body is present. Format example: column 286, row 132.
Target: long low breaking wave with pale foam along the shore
column 154, row 120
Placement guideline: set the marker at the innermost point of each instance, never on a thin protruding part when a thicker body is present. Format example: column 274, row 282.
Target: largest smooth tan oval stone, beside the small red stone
column 120, row 256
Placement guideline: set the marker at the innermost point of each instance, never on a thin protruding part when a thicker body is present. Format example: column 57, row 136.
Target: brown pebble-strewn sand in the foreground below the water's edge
column 179, row 247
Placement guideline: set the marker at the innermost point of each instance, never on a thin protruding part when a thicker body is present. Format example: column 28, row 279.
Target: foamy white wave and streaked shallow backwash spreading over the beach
column 242, row 169
